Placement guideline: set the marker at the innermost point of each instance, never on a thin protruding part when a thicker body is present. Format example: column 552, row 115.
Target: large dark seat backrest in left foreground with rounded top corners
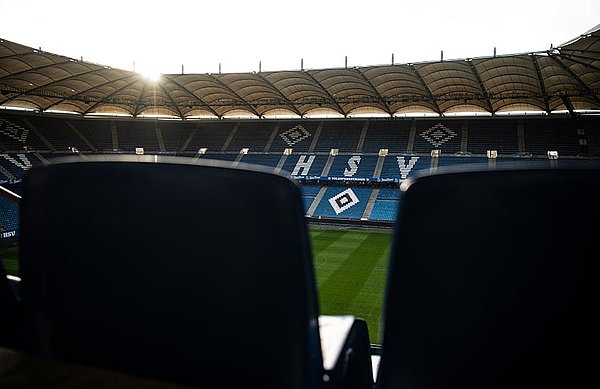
column 190, row 272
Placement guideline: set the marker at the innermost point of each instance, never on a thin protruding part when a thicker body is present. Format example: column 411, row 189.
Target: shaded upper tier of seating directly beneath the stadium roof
column 507, row 135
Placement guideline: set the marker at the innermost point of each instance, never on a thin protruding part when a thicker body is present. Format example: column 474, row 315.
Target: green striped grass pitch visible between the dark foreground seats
column 350, row 267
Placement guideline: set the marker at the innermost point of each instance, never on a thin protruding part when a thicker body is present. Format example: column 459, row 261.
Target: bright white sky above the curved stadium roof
column 154, row 37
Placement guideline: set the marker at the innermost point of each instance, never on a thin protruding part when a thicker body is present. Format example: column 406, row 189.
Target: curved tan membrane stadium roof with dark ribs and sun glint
column 564, row 78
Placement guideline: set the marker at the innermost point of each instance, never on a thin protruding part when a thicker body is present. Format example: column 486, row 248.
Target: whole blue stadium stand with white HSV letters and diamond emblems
column 516, row 142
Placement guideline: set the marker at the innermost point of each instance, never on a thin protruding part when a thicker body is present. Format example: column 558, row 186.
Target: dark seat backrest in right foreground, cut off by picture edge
column 493, row 282
